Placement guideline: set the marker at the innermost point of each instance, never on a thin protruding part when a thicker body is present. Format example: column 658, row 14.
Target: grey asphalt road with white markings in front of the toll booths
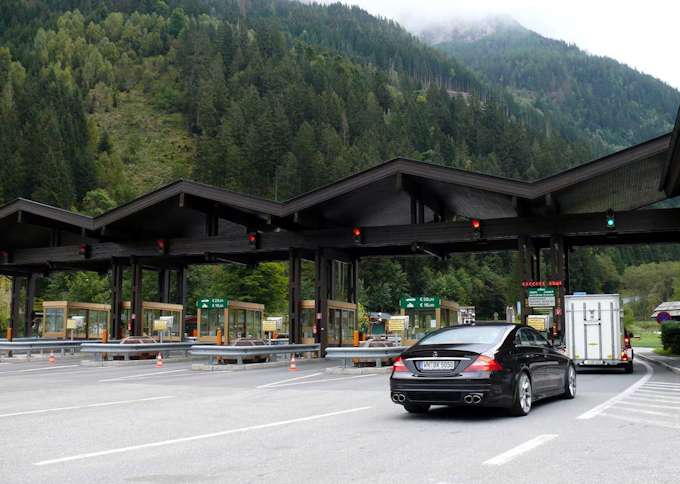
column 70, row 423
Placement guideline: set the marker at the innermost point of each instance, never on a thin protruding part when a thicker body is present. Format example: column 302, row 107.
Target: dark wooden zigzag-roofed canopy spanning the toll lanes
column 400, row 207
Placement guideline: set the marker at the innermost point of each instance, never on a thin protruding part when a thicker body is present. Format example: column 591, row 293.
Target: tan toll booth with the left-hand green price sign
column 244, row 320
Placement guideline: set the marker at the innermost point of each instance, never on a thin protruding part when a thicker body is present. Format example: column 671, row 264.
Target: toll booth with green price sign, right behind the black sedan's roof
column 425, row 314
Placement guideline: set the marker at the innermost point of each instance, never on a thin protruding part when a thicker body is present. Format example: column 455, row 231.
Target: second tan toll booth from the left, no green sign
column 153, row 311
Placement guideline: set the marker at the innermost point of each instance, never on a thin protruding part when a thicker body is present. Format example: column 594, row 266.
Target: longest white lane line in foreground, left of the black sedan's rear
column 163, row 443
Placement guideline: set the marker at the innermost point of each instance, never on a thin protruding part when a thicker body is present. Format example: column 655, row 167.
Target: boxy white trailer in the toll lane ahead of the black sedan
column 594, row 333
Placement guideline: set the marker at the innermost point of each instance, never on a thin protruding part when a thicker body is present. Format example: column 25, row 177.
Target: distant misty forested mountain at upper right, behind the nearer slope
column 612, row 103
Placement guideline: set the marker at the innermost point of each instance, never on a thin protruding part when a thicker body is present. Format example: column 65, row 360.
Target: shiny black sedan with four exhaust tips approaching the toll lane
column 482, row 364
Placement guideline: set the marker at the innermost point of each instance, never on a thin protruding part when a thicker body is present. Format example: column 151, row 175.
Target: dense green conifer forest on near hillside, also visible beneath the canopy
column 102, row 101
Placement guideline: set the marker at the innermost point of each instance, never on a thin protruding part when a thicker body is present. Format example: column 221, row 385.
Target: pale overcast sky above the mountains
column 642, row 34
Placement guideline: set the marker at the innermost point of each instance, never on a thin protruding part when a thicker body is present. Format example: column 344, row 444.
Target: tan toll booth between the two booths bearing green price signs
column 342, row 322
